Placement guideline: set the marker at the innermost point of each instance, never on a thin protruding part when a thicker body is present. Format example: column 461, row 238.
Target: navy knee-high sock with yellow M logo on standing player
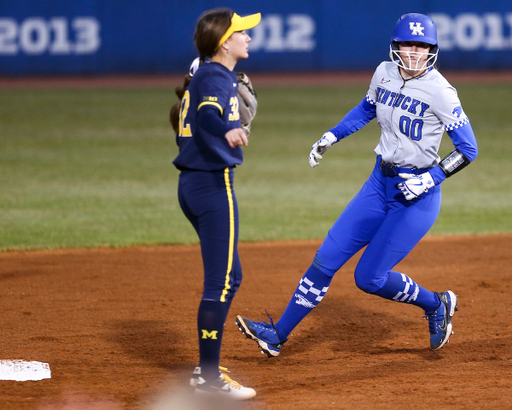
column 210, row 326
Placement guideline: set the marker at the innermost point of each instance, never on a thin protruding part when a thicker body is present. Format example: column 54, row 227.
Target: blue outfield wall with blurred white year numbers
column 90, row 37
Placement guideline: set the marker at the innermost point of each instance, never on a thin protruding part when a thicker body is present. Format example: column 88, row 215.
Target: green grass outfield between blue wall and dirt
column 93, row 167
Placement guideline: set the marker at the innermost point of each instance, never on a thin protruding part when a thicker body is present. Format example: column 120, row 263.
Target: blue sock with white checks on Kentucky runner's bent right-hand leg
column 403, row 289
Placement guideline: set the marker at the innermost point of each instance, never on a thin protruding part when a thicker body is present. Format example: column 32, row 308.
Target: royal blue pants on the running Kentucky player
column 380, row 218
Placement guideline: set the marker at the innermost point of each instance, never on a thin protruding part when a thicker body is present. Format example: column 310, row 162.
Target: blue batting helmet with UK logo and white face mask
column 414, row 27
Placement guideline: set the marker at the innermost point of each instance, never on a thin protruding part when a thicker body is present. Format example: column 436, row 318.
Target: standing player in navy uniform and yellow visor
column 210, row 140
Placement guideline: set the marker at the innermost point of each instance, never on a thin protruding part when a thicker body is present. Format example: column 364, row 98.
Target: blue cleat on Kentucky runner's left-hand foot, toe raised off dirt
column 265, row 334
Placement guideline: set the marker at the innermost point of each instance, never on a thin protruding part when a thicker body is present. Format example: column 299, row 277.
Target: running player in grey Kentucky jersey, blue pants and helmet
column 414, row 106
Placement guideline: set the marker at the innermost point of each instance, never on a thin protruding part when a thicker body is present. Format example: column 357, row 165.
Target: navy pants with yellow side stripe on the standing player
column 208, row 201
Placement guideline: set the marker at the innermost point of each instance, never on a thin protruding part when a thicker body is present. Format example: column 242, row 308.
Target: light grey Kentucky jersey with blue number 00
column 413, row 115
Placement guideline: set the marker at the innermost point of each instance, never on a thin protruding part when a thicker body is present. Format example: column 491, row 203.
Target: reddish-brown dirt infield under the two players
column 117, row 327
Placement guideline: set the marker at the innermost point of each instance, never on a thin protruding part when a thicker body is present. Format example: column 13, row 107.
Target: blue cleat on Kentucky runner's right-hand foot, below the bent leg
column 440, row 320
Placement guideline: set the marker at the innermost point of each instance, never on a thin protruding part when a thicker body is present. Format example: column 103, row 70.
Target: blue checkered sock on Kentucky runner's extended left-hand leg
column 310, row 291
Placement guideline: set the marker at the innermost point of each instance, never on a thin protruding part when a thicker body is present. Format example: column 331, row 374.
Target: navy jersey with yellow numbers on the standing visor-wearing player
column 209, row 109
